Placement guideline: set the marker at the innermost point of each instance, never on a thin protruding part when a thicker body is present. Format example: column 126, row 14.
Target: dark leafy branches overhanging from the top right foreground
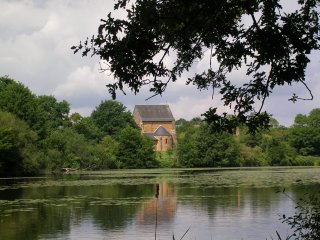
column 269, row 42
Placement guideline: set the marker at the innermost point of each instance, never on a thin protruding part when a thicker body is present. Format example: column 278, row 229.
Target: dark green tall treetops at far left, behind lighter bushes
column 42, row 113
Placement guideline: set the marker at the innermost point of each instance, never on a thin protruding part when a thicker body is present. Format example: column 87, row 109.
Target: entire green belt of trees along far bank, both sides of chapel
column 39, row 135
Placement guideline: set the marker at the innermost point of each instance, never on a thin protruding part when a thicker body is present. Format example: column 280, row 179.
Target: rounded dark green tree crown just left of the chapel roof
column 111, row 117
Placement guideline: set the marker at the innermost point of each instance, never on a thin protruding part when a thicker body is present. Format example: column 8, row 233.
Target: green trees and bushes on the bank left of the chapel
column 39, row 135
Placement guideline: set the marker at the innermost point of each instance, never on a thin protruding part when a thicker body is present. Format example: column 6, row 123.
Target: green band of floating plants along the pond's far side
column 224, row 177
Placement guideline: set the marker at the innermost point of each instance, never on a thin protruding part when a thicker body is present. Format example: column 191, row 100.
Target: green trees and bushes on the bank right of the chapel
column 299, row 145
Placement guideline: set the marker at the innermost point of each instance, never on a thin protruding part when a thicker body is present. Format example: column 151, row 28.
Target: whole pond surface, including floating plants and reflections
column 213, row 204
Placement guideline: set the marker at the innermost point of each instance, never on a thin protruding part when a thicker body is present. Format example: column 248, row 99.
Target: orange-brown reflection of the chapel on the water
column 163, row 206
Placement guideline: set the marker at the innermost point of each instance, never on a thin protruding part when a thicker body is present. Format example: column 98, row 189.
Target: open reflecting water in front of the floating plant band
column 42, row 211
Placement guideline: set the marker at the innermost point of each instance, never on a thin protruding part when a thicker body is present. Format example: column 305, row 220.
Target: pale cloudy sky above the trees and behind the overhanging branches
column 35, row 41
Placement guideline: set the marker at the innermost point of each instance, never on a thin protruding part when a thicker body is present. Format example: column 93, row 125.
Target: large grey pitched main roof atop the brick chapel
column 150, row 113
